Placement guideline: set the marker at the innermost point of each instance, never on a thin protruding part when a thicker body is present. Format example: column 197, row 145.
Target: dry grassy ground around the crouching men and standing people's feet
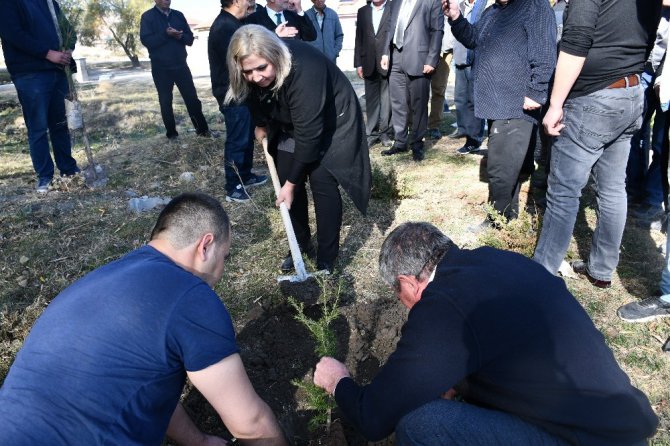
column 47, row 242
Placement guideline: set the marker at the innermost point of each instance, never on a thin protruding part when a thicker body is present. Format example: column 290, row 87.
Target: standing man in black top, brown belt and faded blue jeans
column 595, row 108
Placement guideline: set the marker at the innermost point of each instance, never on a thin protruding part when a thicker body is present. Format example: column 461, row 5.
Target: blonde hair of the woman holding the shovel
column 257, row 40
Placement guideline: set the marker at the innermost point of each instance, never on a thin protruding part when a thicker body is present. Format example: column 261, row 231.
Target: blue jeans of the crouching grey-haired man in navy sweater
column 447, row 422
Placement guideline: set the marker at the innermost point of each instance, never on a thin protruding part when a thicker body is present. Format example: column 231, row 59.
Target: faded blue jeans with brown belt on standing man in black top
column 595, row 140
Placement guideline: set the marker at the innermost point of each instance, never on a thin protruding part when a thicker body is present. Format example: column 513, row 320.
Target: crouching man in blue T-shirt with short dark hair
column 107, row 360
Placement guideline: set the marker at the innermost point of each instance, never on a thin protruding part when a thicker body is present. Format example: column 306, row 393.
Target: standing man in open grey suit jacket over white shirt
column 414, row 40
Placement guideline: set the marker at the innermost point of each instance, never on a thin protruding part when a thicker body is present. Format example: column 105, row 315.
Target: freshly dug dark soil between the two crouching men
column 277, row 349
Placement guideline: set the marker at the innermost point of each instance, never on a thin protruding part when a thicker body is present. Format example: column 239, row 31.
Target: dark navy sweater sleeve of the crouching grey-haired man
column 422, row 368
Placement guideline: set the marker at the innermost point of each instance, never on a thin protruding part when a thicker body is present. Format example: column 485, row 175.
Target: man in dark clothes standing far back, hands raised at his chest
column 165, row 33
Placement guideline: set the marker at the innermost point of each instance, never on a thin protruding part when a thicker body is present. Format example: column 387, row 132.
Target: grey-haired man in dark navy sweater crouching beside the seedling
column 498, row 331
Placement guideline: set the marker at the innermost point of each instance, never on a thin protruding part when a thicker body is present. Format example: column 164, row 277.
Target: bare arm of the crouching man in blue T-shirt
column 228, row 389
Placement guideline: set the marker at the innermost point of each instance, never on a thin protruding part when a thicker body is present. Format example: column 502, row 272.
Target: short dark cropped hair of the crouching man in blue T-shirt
column 188, row 217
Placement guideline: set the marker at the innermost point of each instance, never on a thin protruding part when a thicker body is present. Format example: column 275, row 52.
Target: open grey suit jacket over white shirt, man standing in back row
column 423, row 36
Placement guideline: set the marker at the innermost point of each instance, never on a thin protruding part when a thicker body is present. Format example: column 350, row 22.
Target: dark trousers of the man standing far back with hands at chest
column 165, row 80
